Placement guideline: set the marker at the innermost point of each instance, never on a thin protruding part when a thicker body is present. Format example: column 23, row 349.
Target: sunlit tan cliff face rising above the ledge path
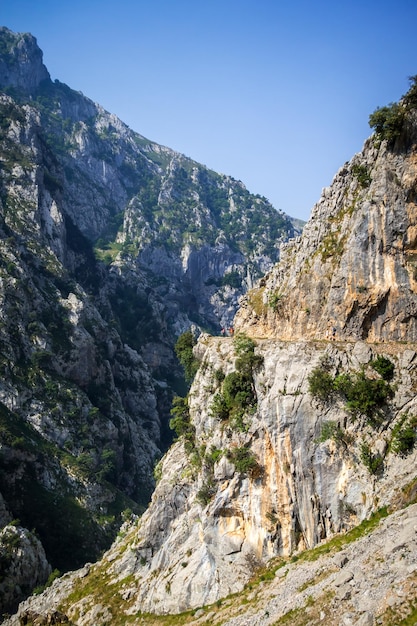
column 354, row 268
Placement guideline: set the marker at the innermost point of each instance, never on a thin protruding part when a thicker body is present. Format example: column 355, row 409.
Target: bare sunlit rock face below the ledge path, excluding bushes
column 303, row 490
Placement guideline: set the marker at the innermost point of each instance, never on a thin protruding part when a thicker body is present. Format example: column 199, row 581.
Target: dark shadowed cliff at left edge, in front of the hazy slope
column 79, row 423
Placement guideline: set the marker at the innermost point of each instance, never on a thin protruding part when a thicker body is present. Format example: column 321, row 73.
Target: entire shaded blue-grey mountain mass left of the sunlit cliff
column 111, row 246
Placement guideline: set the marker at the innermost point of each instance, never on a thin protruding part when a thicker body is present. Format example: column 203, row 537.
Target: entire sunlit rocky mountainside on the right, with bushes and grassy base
column 289, row 496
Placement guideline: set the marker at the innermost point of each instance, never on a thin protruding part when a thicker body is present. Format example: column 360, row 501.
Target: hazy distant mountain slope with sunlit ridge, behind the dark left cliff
column 144, row 203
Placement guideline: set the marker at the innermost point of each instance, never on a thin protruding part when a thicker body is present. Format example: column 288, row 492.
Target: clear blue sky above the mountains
column 276, row 93
